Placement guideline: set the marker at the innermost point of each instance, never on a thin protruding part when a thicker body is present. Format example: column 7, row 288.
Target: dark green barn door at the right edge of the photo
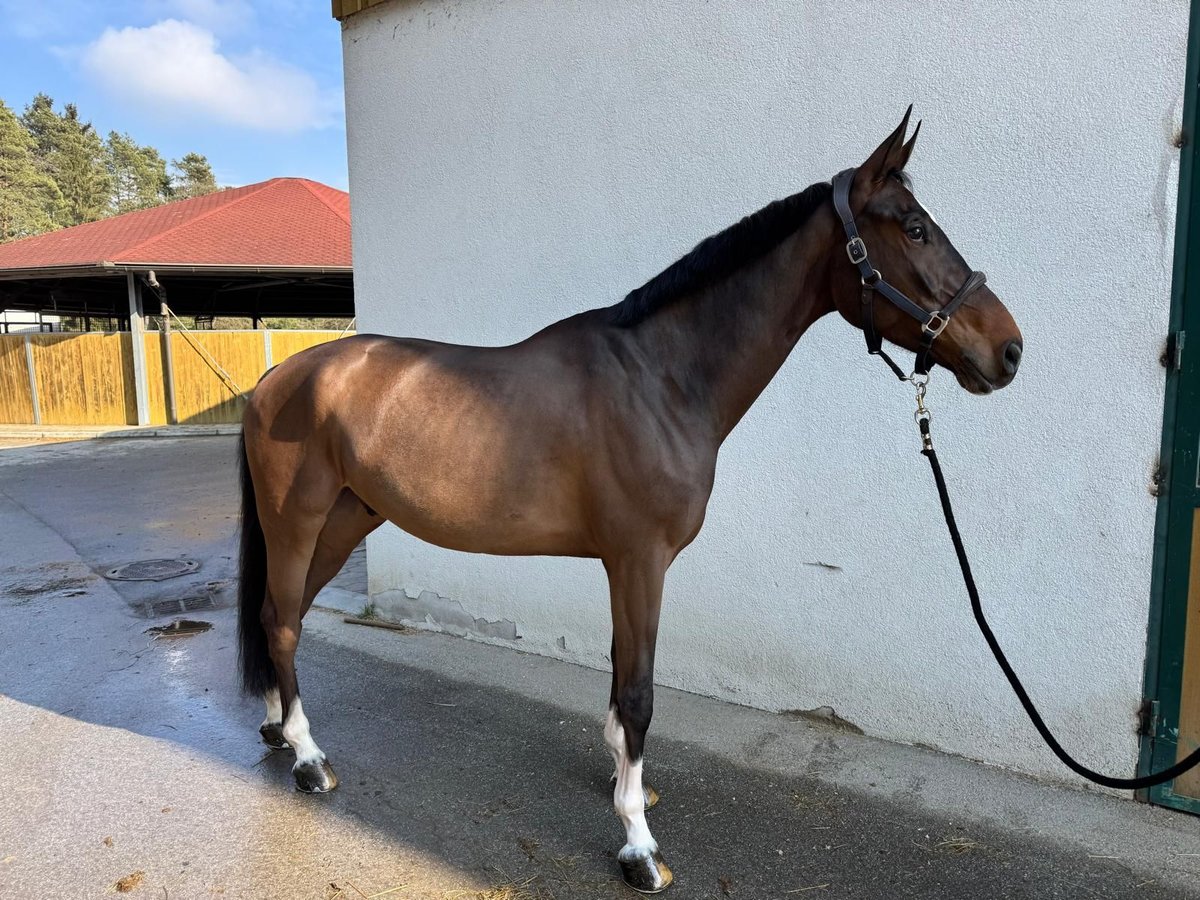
column 1172, row 718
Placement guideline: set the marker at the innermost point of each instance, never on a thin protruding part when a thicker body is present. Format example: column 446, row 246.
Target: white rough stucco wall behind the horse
column 515, row 163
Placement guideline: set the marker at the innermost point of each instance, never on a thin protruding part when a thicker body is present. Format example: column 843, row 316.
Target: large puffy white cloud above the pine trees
column 176, row 69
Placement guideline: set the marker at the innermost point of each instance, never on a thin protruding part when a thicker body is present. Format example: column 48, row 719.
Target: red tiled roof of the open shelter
column 284, row 223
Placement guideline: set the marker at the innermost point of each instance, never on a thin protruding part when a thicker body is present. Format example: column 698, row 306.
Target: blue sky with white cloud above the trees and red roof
column 254, row 86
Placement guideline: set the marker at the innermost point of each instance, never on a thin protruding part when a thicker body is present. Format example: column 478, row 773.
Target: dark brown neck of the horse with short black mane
column 723, row 345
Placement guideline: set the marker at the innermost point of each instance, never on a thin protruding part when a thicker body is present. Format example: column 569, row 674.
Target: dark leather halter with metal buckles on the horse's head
column 932, row 323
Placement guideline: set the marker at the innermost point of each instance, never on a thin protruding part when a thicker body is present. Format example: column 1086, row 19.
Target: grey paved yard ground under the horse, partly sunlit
column 467, row 771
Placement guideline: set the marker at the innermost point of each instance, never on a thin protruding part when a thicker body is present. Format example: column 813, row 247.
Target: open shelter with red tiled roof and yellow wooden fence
column 275, row 249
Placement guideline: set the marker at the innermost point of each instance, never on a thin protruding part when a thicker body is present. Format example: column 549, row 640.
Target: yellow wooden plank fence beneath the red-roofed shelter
column 88, row 379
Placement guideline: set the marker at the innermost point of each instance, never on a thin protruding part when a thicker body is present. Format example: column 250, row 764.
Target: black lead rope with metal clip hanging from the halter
column 1125, row 784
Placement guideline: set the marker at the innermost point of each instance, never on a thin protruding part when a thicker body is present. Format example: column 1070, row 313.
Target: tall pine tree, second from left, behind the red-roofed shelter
column 71, row 153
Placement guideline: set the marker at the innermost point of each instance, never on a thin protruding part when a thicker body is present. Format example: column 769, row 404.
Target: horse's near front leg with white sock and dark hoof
column 637, row 590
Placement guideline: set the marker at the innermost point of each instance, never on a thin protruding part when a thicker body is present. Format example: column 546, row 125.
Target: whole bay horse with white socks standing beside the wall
column 596, row 437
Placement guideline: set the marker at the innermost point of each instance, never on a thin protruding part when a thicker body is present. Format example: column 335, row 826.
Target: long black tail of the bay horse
column 254, row 657
